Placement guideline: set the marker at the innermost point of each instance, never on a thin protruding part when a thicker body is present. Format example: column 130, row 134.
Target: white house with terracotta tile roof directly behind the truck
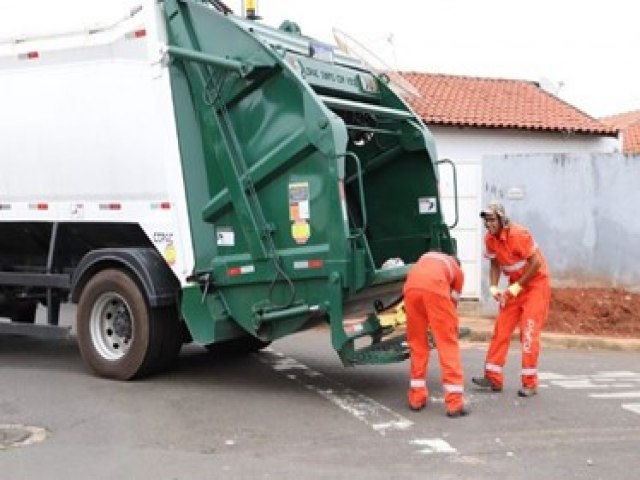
column 471, row 117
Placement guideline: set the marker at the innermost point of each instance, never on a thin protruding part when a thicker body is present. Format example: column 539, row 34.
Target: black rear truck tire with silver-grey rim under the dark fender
column 119, row 335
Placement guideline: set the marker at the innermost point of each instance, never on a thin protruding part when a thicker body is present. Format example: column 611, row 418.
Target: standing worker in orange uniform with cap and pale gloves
column 525, row 303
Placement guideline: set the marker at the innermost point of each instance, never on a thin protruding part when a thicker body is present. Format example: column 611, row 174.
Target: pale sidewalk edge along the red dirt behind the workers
column 482, row 329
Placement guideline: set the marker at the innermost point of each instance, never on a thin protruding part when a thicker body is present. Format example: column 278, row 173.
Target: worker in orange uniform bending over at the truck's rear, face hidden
column 431, row 293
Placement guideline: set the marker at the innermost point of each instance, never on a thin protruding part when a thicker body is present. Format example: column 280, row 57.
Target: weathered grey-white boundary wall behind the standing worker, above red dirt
column 579, row 208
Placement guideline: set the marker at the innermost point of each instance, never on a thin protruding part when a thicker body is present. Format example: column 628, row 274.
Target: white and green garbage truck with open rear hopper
column 183, row 174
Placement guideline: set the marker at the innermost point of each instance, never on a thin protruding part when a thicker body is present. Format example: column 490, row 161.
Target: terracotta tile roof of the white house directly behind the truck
column 497, row 103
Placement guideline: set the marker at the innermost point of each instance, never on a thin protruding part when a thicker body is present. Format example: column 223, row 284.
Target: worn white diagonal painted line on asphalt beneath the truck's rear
column 379, row 418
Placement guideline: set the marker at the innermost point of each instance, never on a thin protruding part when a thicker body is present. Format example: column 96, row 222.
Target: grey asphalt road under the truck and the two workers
column 294, row 412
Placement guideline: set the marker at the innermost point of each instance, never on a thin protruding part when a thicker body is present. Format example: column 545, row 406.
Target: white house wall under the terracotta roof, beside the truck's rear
column 466, row 147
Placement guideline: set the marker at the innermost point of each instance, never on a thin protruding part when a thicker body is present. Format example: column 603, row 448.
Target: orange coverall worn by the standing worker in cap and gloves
column 511, row 249
